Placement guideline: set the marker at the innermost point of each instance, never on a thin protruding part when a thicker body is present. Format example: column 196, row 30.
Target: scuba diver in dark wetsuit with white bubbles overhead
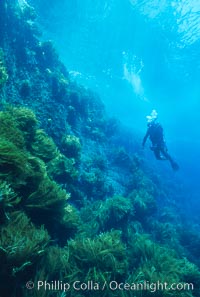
column 155, row 133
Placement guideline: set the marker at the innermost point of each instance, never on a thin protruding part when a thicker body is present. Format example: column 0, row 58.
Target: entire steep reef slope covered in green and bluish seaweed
column 77, row 206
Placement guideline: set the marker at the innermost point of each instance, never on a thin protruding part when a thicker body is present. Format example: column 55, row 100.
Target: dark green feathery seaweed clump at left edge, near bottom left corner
column 21, row 243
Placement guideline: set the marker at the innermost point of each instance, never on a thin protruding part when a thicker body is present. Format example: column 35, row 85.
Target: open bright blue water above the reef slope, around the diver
column 137, row 55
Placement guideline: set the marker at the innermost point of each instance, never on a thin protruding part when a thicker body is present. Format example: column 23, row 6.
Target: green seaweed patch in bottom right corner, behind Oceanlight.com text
column 152, row 262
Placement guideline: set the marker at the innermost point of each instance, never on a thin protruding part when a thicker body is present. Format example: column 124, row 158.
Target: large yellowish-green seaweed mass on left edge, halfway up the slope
column 24, row 155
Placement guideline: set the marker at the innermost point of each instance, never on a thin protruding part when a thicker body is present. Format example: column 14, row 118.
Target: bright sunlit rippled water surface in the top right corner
column 185, row 13
